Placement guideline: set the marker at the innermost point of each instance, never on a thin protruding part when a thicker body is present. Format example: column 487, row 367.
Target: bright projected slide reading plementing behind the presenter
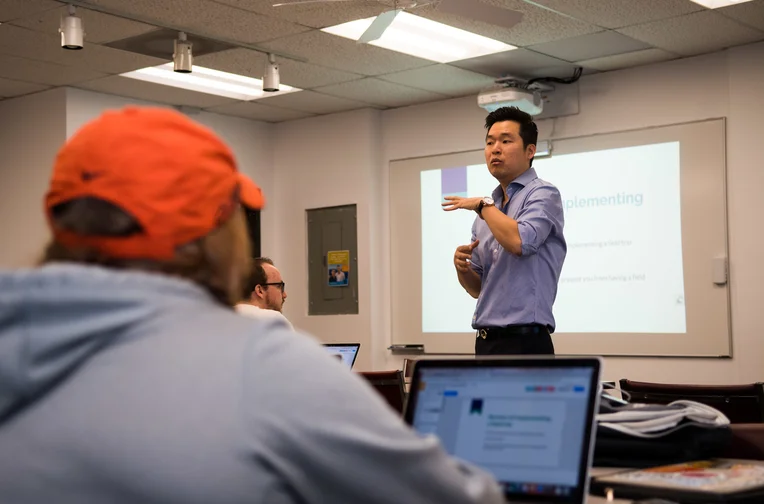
column 623, row 272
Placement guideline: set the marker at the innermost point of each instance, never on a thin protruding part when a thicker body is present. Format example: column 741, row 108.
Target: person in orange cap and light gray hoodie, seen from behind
column 126, row 375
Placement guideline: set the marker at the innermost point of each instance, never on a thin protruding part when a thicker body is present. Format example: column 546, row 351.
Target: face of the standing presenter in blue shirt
column 504, row 153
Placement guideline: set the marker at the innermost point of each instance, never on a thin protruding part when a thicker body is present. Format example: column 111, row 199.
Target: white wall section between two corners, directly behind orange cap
column 251, row 142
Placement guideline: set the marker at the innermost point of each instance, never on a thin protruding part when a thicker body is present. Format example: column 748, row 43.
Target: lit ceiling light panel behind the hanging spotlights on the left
column 207, row 80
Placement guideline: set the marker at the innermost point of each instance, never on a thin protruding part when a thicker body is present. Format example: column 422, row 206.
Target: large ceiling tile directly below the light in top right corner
column 697, row 33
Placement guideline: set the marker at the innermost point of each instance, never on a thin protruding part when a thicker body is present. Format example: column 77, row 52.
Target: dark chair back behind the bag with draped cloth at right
column 740, row 403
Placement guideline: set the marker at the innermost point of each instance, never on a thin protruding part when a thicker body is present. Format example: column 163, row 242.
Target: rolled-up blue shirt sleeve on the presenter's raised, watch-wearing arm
column 541, row 214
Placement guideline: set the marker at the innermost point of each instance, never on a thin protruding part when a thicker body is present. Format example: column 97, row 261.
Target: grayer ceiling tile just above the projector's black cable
column 593, row 45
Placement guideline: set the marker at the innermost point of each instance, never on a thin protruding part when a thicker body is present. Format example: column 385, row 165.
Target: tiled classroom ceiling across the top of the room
column 338, row 74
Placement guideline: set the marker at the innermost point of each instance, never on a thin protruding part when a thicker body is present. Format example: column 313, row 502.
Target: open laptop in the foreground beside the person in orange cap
column 528, row 421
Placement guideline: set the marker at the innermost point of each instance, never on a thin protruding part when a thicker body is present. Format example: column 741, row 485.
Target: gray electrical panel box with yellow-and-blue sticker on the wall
column 332, row 261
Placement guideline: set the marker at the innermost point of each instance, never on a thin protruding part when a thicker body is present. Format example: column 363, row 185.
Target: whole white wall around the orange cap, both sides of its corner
column 34, row 127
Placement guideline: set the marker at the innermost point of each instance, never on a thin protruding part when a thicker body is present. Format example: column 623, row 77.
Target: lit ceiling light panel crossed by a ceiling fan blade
column 424, row 38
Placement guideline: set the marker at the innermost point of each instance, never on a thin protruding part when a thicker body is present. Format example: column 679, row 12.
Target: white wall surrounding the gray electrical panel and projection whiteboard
column 725, row 84
